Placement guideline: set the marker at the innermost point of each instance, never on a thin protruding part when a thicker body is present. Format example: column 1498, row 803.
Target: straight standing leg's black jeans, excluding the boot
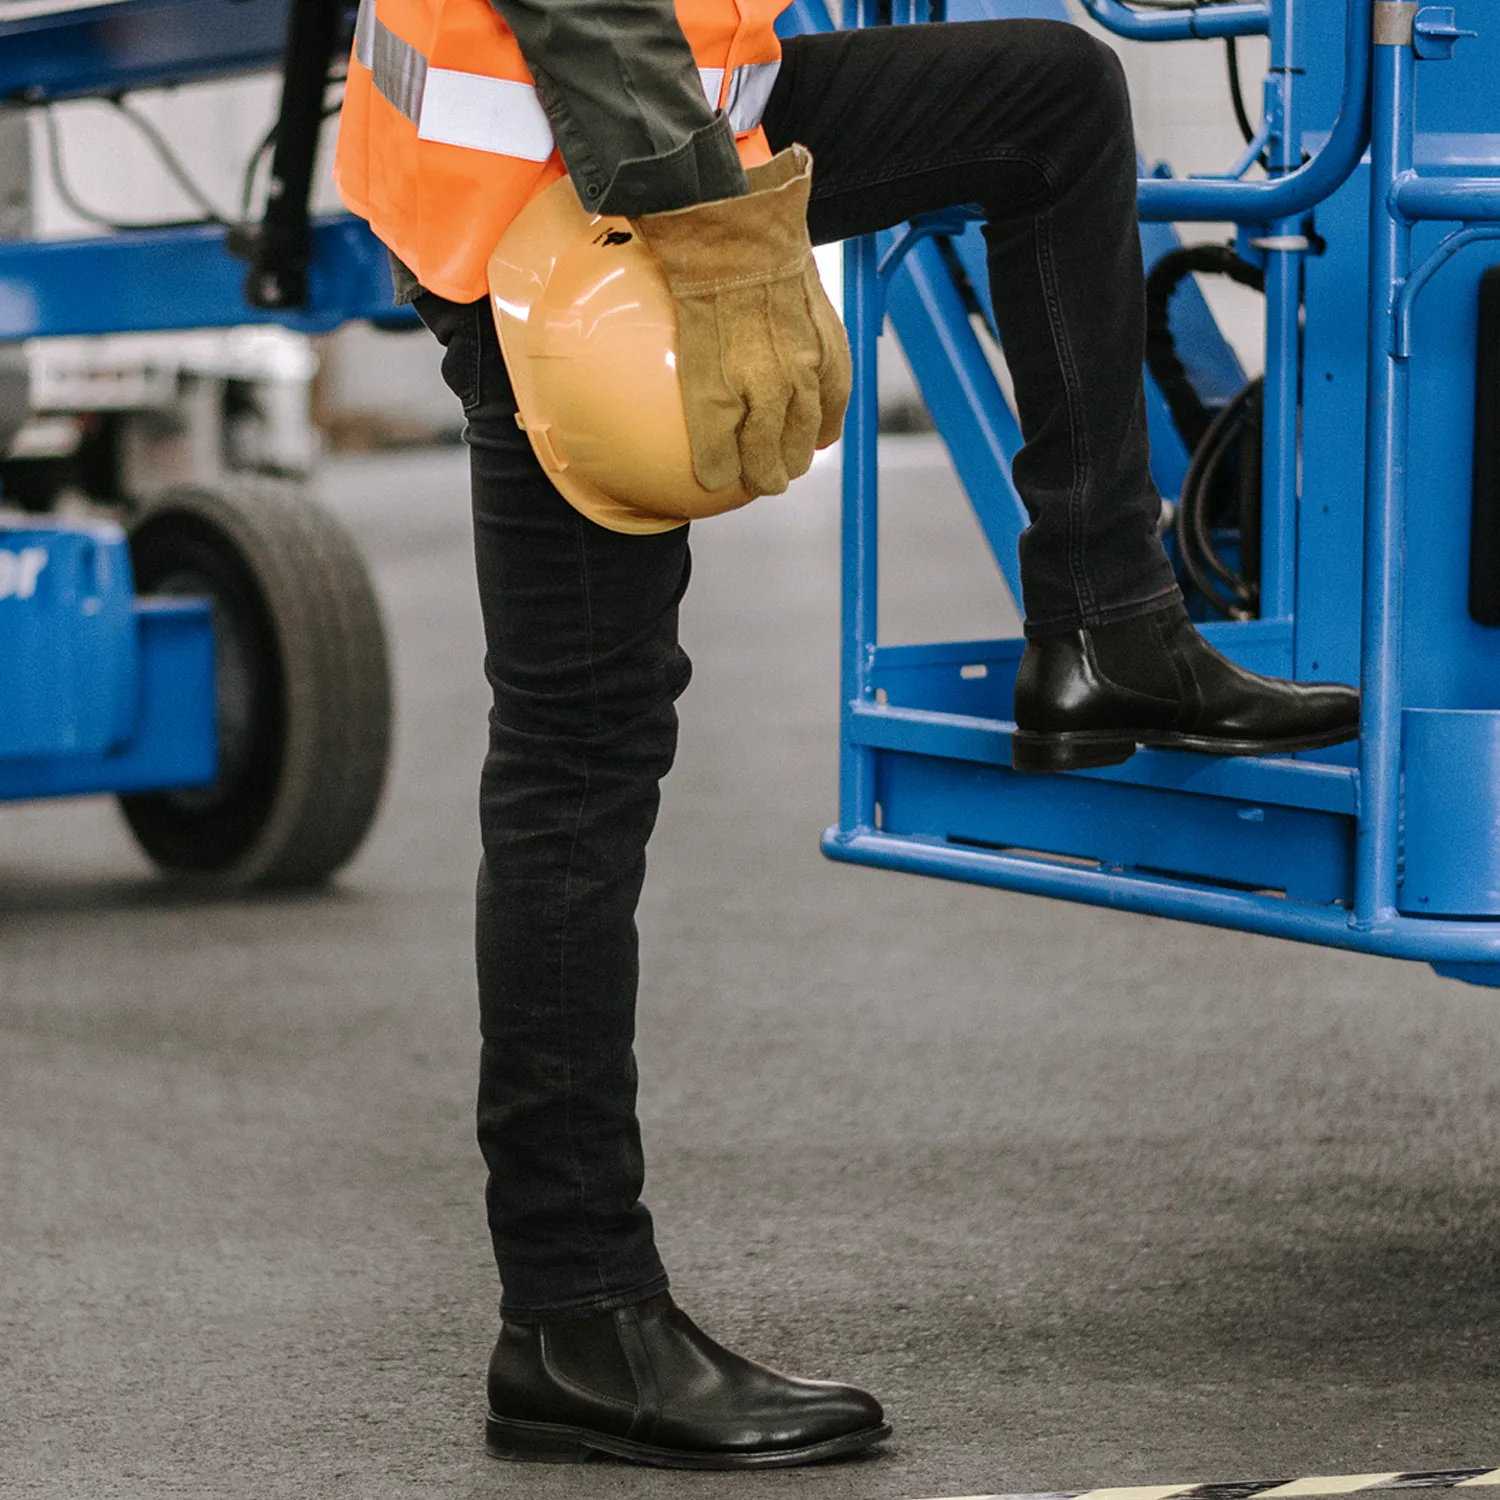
column 584, row 665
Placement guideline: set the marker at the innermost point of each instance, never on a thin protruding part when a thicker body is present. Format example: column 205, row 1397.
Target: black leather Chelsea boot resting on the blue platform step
column 1090, row 697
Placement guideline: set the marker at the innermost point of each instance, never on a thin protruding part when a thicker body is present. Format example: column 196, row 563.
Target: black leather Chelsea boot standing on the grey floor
column 646, row 1384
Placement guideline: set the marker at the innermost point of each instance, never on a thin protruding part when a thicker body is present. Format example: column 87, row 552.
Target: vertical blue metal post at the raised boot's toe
column 1388, row 394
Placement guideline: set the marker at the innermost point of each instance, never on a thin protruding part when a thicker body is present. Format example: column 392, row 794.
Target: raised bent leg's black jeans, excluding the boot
column 1031, row 121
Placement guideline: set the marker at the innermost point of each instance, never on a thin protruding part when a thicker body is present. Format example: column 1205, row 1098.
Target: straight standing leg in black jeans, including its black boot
column 584, row 664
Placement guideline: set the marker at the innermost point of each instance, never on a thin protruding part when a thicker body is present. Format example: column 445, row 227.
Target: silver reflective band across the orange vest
column 499, row 115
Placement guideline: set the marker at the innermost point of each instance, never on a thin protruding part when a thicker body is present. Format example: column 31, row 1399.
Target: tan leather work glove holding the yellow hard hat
column 763, row 358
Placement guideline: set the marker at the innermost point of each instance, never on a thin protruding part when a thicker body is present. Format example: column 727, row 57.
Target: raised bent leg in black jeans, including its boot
column 1031, row 121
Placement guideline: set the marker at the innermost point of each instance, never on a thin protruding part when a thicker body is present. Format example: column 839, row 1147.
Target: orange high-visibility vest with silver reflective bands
column 443, row 140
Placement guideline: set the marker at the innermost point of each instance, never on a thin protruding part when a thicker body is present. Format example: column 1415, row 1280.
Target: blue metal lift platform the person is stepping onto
column 1373, row 266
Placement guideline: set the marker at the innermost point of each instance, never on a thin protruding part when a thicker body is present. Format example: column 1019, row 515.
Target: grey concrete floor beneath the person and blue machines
column 1088, row 1199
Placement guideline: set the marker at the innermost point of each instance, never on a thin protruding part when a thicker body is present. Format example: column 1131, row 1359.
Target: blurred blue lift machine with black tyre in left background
column 214, row 655
